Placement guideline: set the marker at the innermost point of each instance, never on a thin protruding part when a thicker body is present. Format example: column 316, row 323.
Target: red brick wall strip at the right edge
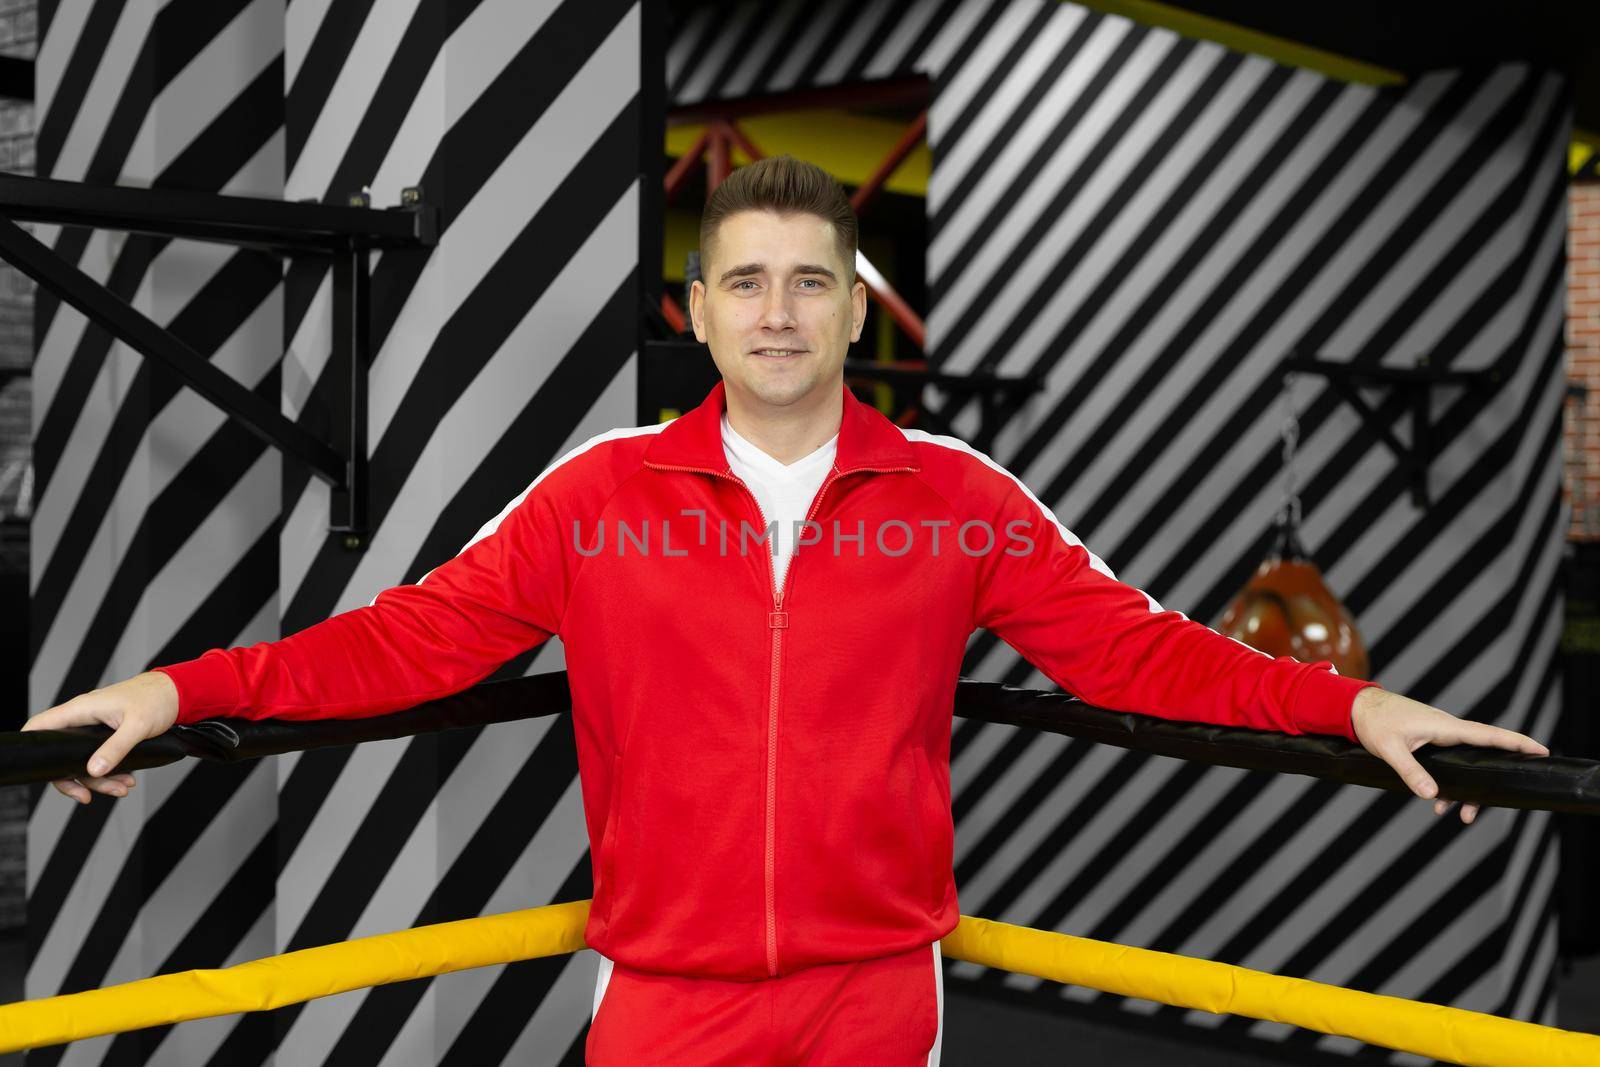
column 1583, row 359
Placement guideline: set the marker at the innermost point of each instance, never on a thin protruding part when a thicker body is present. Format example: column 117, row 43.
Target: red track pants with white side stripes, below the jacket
column 886, row 1012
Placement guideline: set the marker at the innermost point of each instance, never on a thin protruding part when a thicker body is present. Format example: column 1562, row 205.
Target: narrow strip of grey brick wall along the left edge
column 18, row 38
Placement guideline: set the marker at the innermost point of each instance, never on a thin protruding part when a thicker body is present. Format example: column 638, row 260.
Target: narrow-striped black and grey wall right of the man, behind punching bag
column 1153, row 225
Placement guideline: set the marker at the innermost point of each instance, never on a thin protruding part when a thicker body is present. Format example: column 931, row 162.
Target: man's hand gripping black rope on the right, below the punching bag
column 1393, row 727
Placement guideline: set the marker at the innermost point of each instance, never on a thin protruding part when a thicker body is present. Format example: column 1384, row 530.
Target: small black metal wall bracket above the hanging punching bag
column 1417, row 383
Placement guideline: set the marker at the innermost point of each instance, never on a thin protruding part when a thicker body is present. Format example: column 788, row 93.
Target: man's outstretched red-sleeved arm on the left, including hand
column 503, row 594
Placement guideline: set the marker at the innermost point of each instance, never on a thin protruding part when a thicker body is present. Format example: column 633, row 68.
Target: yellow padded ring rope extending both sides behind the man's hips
column 1434, row 1031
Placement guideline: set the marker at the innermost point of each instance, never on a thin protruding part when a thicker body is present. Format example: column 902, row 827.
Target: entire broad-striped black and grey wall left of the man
column 162, row 530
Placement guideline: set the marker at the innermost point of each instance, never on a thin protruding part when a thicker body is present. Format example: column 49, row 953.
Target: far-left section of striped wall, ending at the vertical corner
column 156, row 521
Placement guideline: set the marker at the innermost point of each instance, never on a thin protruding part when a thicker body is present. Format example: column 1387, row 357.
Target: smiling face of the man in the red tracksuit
column 777, row 308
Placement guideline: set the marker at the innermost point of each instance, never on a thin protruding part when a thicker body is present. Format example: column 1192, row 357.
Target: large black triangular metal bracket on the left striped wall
column 343, row 233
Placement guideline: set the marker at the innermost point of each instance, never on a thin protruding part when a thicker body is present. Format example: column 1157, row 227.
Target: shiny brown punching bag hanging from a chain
column 1287, row 610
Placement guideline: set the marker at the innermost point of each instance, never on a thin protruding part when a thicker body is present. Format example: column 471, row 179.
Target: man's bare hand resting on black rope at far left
column 145, row 706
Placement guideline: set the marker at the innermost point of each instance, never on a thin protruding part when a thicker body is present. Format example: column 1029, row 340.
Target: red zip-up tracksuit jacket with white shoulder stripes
column 766, row 777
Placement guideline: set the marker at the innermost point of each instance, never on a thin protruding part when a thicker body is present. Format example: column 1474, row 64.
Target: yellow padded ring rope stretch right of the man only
column 1450, row 1034
